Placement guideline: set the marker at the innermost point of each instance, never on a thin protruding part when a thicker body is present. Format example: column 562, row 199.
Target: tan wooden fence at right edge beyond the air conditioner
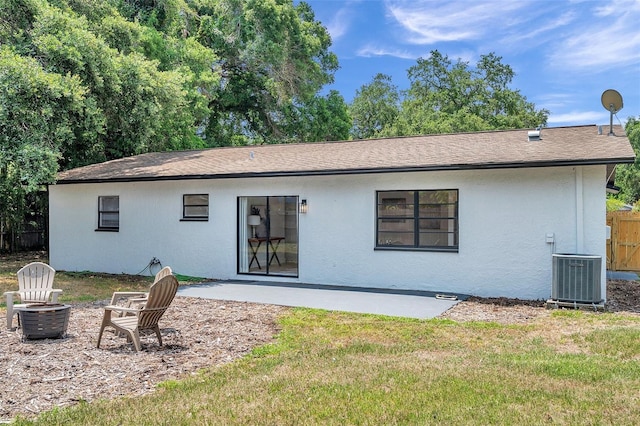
column 623, row 249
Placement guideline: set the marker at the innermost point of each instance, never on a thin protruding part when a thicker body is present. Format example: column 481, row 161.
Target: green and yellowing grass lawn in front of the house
column 567, row 367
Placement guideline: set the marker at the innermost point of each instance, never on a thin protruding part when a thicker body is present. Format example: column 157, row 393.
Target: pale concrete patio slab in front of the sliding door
column 411, row 304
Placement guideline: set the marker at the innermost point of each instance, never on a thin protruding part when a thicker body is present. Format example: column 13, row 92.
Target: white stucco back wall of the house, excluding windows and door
column 504, row 218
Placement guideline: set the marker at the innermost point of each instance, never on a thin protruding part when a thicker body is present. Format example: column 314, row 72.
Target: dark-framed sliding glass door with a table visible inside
column 268, row 235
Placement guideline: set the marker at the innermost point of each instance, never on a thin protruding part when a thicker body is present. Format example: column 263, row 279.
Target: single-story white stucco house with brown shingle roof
column 472, row 213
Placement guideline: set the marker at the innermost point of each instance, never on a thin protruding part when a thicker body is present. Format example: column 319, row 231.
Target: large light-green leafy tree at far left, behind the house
column 76, row 89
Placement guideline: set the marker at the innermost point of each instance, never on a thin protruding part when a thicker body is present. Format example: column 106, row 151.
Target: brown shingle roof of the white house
column 493, row 149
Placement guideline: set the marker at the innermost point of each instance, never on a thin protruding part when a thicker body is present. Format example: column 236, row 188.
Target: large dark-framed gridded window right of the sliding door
column 417, row 219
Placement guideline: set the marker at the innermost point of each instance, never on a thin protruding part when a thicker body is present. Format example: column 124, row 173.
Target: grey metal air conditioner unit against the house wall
column 576, row 278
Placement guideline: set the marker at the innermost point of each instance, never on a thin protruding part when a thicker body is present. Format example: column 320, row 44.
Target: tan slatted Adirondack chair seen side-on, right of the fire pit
column 145, row 316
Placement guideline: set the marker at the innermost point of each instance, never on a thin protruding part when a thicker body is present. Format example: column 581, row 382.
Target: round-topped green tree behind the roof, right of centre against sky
column 444, row 97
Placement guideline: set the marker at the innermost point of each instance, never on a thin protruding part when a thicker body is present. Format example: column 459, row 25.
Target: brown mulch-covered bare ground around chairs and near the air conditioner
column 38, row 375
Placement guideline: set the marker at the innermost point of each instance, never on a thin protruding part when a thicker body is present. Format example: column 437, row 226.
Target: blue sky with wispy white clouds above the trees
column 564, row 53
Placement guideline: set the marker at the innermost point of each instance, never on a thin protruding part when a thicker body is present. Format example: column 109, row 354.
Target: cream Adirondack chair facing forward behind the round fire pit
column 35, row 285
